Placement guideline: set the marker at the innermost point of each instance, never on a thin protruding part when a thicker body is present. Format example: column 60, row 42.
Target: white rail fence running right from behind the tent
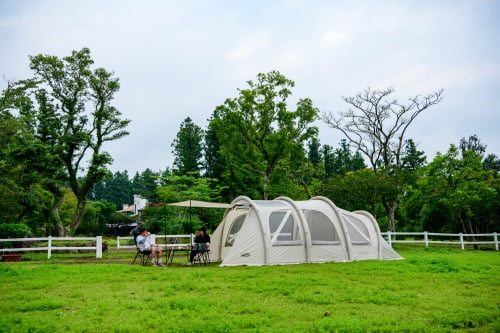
column 455, row 239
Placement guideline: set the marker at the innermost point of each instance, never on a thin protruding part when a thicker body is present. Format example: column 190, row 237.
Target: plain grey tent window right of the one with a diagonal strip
column 321, row 228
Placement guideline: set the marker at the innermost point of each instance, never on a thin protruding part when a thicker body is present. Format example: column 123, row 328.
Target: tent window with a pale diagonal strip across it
column 284, row 230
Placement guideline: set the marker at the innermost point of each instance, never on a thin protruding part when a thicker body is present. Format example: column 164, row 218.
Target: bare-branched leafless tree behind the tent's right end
column 377, row 127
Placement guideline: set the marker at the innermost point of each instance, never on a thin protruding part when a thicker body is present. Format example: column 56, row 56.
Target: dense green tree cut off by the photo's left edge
column 23, row 159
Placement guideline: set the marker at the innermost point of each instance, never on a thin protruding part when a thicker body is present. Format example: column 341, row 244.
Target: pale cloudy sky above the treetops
column 179, row 59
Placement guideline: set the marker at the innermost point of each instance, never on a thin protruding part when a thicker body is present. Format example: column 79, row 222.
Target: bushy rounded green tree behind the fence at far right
column 462, row 191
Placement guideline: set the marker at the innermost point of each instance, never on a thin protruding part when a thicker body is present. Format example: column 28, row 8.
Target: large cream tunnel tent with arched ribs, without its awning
column 283, row 231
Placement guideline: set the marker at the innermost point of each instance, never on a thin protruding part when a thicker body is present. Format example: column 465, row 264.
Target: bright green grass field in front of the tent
column 432, row 290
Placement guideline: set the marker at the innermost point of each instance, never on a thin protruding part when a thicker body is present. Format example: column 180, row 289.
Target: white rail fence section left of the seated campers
column 49, row 248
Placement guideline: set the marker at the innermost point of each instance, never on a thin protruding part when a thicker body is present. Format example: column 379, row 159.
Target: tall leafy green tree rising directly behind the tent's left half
column 257, row 130
